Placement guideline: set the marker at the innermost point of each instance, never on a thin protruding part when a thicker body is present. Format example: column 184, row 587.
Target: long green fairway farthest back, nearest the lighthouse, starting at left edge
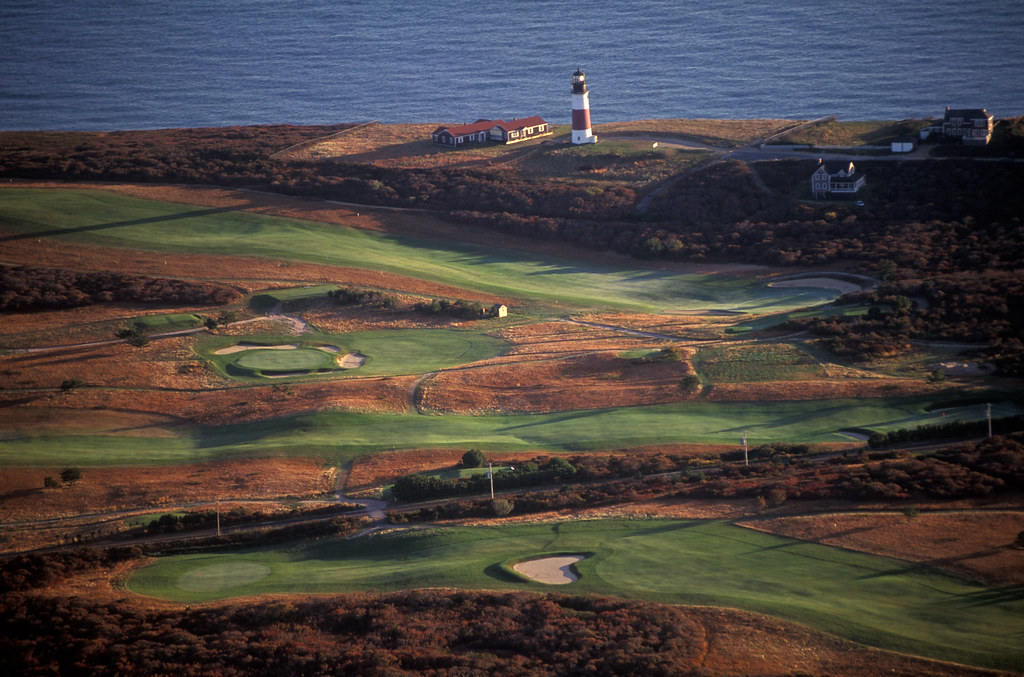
column 114, row 221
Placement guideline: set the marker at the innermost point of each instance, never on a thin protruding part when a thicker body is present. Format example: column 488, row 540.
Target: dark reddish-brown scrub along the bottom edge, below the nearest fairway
column 429, row 632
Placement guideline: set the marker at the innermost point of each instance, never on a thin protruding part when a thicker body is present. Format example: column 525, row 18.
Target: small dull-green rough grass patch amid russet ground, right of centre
column 755, row 363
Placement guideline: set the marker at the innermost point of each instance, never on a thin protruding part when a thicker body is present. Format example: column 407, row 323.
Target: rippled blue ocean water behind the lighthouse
column 105, row 65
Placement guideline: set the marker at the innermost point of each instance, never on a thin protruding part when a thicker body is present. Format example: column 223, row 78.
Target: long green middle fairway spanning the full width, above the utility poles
column 340, row 437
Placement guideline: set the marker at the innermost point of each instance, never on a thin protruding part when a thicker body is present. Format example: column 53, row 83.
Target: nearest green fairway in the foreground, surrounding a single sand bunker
column 874, row 601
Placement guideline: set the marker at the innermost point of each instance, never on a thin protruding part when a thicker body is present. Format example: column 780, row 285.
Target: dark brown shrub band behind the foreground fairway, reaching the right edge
column 966, row 471
